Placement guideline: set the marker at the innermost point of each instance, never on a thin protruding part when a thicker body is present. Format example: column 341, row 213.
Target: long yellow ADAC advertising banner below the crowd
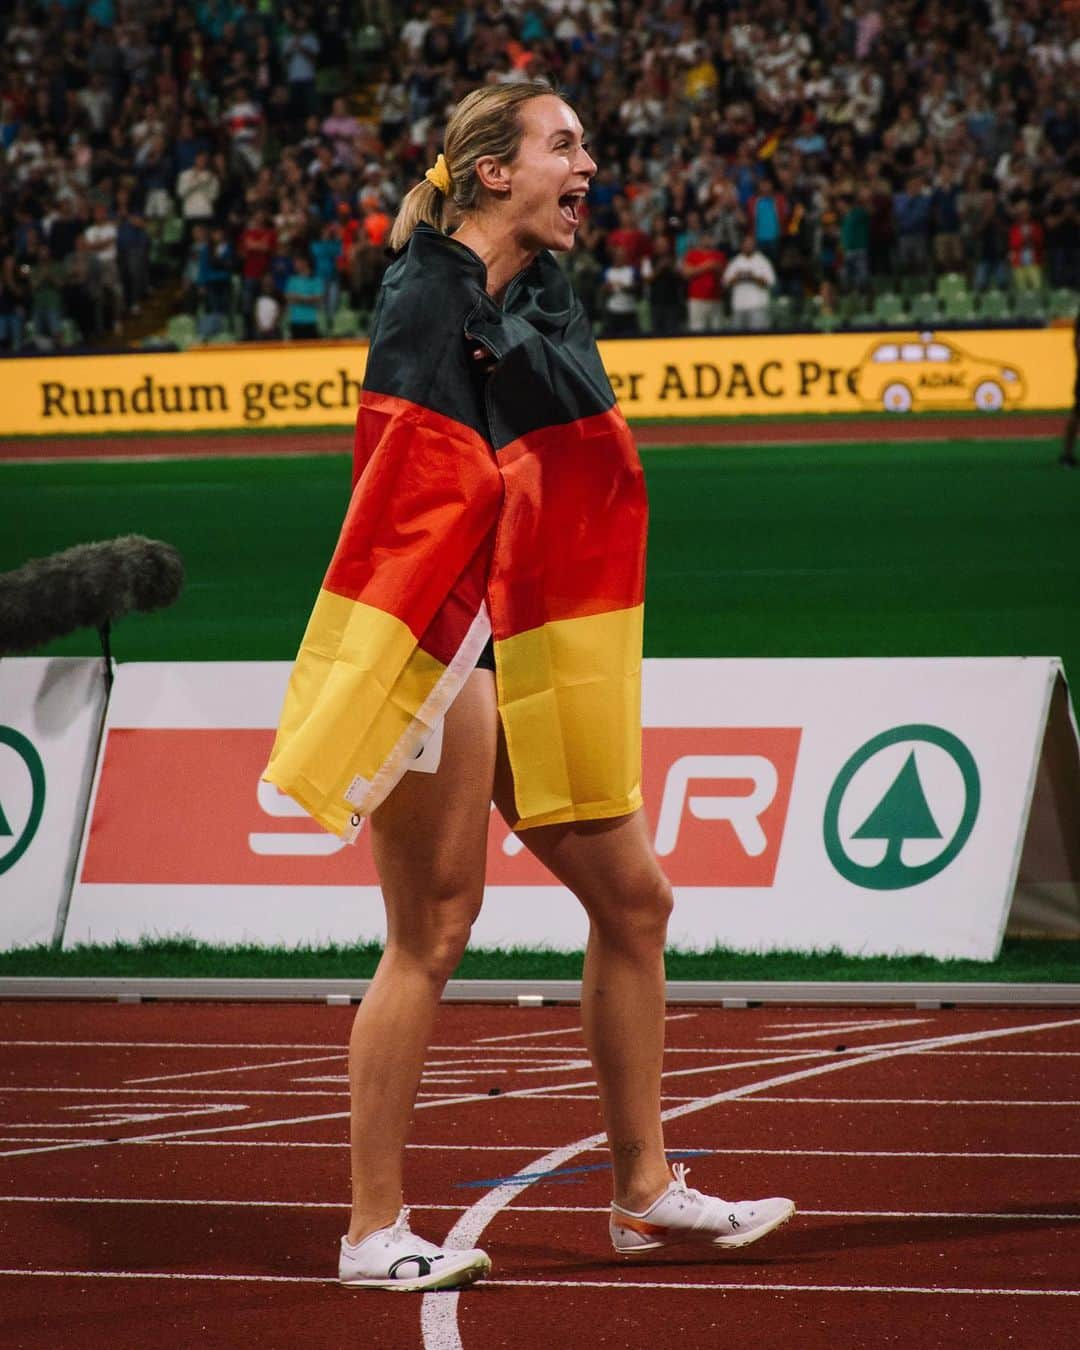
column 318, row 384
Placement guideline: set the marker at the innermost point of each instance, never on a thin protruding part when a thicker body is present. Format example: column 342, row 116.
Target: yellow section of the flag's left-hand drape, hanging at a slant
column 360, row 676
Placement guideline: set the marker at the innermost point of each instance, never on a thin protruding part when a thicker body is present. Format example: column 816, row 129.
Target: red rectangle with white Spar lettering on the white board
column 718, row 800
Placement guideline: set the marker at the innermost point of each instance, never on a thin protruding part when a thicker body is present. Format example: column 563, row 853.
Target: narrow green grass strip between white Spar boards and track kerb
column 1023, row 962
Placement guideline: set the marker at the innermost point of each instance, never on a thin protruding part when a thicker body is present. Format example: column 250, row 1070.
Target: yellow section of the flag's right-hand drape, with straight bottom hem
column 570, row 700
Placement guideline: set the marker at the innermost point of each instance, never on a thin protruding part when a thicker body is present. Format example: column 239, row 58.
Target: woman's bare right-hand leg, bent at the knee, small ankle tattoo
column 611, row 866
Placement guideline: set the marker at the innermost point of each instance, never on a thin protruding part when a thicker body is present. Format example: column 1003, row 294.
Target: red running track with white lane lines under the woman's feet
column 175, row 1175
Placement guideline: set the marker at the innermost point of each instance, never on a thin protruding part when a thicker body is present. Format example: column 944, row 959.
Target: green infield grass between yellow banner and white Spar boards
column 958, row 549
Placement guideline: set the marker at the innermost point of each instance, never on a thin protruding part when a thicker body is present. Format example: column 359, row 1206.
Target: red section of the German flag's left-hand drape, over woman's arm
column 427, row 496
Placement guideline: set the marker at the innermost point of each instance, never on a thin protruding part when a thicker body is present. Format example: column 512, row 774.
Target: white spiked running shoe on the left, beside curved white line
column 396, row 1259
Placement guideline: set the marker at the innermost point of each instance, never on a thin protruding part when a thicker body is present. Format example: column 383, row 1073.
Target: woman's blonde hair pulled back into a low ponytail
column 487, row 122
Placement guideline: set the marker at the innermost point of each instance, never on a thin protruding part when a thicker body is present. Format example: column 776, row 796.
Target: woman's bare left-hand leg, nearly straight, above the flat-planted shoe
column 430, row 844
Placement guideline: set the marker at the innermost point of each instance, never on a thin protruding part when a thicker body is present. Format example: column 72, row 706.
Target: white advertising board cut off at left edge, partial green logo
column 51, row 719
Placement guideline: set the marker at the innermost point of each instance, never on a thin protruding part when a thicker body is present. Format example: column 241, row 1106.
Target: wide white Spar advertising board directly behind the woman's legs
column 878, row 807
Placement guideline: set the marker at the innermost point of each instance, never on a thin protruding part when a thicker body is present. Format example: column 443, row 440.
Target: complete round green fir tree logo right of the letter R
column 902, row 808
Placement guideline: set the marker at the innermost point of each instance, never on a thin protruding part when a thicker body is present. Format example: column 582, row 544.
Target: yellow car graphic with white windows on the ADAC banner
column 911, row 375
